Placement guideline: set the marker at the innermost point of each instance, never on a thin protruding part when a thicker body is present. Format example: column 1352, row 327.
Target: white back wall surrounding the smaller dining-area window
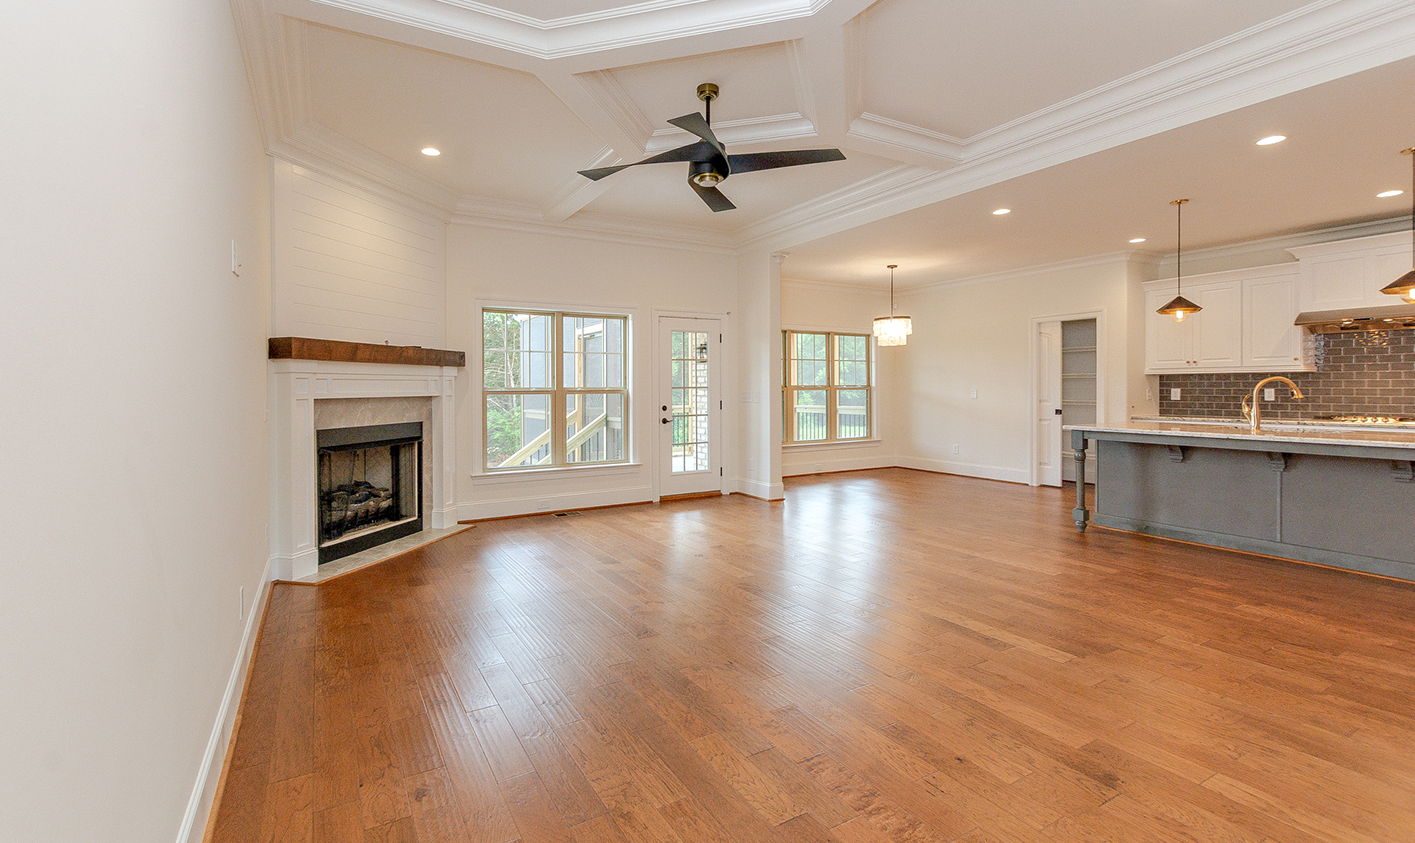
column 828, row 308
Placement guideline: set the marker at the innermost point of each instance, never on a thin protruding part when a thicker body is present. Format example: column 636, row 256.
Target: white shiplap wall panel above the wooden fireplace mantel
column 350, row 265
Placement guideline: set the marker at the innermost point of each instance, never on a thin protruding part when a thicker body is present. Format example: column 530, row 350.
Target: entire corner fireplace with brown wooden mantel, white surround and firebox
column 320, row 387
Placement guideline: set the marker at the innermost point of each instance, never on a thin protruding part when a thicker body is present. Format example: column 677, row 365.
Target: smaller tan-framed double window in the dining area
column 827, row 393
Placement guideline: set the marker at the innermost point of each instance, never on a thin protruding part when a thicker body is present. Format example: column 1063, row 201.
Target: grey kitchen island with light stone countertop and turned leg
column 1317, row 493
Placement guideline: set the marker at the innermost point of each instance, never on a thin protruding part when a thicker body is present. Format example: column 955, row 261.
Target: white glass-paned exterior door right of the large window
column 690, row 407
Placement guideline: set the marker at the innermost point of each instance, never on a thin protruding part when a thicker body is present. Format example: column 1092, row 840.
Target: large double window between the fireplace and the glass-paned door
column 555, row 388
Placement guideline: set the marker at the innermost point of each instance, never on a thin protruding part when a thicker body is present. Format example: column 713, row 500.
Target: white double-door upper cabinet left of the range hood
column 1246, row 325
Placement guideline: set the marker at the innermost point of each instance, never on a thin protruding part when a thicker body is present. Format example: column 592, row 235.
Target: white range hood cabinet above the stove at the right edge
column 1351, row 274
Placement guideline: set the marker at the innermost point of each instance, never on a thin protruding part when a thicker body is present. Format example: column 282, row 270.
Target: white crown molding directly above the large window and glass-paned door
column 524, row 217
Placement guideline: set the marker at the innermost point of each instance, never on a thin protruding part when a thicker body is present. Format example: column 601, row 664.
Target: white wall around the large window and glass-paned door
column 493, row 267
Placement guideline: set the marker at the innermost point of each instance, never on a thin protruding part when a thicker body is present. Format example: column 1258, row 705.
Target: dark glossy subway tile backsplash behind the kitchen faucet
column 1368, row 374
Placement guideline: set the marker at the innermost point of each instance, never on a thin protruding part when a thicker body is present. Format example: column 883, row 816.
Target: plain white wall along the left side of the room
column 134, row 443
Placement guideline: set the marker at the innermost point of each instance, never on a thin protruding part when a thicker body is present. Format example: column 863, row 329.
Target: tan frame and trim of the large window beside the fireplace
column 558, row 393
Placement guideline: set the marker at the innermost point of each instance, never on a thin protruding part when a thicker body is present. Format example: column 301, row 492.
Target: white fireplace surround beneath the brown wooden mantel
column 295, row 387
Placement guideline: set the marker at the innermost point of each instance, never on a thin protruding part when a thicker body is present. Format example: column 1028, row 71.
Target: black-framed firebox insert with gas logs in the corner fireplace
column 370, row 486
